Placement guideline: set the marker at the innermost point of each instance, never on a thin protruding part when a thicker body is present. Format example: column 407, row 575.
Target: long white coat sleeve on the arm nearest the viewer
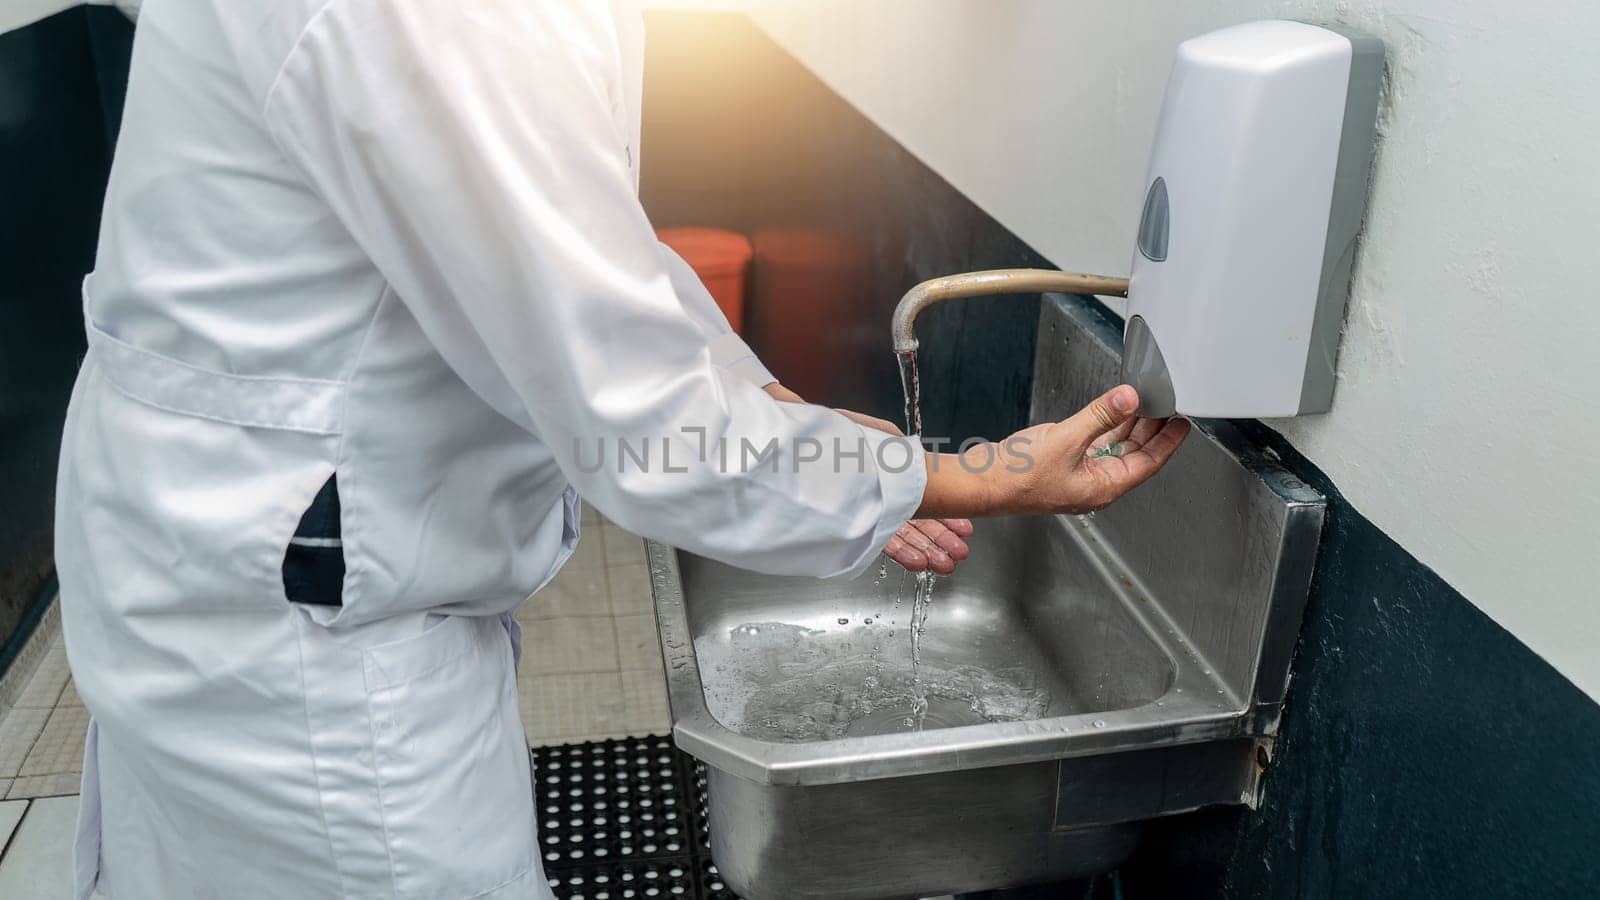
column 474, row 155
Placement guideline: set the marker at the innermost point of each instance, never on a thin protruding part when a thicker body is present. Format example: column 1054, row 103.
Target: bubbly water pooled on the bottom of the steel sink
column 790, row 683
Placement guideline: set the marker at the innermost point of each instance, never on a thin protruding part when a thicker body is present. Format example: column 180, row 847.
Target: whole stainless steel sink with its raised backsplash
column 1082, row 675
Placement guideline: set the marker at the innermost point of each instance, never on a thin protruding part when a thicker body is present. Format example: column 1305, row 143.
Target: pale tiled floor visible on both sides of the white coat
column 591, row 670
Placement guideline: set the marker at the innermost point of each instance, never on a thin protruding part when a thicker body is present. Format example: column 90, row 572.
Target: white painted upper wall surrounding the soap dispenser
column 1468, row 414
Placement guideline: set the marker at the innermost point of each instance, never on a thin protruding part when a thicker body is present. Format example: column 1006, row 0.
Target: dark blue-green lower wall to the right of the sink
column 1426, row 752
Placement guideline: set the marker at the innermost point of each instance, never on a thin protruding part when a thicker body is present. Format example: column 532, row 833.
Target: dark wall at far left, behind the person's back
column 55, row 155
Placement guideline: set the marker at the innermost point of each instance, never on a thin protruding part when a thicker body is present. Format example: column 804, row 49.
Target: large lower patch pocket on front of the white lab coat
column 452, row 760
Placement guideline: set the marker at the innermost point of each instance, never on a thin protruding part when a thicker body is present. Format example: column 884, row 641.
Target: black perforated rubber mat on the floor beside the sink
column 623, row 821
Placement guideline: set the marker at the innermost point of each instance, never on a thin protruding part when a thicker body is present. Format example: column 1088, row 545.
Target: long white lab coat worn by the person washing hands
column 401, row 244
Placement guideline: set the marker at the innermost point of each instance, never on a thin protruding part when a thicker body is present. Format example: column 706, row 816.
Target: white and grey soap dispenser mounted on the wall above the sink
column 1255, row 195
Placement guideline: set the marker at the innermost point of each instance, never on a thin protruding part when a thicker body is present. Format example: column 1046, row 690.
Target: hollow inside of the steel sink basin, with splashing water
column 1028, row 630
